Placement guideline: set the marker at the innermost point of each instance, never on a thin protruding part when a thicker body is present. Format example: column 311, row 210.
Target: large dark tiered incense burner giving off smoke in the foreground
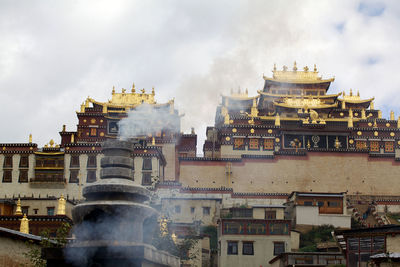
column 109, row 224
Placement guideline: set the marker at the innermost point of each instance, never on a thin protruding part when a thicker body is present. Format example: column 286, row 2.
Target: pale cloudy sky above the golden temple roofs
column 53, row 54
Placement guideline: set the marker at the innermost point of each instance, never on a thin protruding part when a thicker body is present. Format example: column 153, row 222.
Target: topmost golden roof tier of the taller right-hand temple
column 296, row 76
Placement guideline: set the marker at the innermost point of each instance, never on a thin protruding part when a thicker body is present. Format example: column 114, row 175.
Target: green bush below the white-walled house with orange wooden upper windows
column 309, row 240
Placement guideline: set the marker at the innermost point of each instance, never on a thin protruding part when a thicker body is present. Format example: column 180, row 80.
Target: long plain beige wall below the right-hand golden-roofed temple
column 355, row 173
